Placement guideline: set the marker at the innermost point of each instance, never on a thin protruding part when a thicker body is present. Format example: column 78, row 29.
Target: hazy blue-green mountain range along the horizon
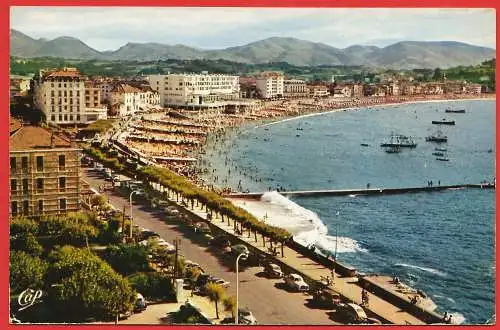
column 403, row 54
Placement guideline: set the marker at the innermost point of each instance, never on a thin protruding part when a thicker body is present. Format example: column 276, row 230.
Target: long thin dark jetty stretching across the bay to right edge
column 363, row 192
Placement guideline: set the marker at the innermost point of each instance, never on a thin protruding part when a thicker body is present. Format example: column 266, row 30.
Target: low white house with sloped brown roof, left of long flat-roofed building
column 128, row 100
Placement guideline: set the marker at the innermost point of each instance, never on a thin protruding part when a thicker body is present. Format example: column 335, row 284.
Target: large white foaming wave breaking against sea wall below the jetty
column 306, row 227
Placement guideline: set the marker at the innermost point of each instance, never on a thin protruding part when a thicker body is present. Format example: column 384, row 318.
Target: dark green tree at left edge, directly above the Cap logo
column 26, row 271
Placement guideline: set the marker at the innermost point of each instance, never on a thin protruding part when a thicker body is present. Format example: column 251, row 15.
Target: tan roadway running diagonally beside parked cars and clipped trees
column 270, row 304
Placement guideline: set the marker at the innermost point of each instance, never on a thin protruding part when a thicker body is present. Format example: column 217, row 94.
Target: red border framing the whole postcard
column 4, row 83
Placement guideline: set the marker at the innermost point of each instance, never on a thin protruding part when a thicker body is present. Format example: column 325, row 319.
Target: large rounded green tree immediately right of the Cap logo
column 82, row 286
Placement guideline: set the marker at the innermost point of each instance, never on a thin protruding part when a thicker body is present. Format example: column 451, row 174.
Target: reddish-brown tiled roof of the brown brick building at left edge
column 34, row 137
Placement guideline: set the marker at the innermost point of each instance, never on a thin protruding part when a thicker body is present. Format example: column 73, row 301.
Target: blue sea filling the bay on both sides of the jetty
column 440, row 242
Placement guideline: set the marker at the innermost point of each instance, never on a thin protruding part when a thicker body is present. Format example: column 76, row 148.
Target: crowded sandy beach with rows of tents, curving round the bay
column 183, row 133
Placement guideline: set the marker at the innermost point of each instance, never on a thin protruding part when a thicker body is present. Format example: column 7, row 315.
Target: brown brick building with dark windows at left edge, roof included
column 44, row 173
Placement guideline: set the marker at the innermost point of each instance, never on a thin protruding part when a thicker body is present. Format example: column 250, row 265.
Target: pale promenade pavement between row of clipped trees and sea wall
column 347, row 287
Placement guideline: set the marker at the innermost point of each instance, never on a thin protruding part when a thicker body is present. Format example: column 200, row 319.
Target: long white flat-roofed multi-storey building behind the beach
column 197, row 90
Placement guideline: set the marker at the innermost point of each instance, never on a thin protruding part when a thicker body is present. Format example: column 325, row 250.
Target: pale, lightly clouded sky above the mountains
column 108, row 28
